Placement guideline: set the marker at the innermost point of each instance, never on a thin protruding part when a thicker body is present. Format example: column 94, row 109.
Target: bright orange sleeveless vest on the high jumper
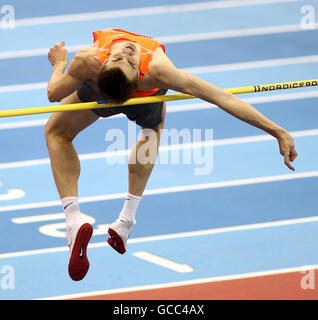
column 105, row 39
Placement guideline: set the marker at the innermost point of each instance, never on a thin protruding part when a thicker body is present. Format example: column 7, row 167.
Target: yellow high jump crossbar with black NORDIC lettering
column 152, row 99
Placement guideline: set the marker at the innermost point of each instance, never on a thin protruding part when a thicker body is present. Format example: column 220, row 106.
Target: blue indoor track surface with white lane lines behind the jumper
column 250, row 213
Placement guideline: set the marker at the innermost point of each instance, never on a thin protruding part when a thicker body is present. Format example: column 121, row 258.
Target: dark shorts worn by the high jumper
column 145, row 115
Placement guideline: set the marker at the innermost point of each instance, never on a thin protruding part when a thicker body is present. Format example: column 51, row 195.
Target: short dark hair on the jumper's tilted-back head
column 115, row 85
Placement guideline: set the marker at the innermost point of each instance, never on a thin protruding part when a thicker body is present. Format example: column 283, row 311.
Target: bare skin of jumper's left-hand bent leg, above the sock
column 60, row 131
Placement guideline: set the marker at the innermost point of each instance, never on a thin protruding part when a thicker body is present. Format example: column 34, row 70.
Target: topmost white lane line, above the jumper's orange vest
column 135, row 12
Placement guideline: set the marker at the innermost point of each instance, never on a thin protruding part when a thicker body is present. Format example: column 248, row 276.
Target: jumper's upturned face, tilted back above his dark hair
column 125, row 55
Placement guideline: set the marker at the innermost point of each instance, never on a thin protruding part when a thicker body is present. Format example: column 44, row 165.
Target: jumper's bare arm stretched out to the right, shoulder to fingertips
column 169, row 77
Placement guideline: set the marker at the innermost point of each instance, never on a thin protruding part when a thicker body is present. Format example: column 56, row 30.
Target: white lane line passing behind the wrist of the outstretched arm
column 163, row 148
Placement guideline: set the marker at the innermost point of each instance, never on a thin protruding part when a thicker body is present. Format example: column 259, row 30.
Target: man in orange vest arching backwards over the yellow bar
column 118, row 66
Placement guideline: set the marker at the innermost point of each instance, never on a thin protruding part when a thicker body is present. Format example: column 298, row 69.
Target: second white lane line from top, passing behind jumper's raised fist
column 234, row 33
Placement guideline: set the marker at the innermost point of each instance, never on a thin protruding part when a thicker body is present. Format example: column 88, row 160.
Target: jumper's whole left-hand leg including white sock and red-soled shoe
column 60, row 131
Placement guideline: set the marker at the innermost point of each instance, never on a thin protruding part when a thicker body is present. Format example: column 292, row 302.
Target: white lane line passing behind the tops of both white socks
column 195, row 187
